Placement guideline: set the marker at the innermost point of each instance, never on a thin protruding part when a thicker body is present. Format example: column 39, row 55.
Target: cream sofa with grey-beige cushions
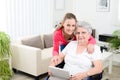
column 32, row 54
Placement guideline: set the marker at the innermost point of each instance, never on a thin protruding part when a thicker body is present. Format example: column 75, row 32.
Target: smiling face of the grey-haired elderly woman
column 82, row 35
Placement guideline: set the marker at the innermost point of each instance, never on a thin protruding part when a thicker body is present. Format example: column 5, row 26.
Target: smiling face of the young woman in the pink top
column 69, row 26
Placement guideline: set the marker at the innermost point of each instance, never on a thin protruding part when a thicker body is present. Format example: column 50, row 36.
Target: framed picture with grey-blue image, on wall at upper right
column 102, row 5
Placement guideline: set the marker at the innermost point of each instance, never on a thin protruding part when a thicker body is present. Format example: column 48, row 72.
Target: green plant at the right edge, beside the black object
column 115, row 42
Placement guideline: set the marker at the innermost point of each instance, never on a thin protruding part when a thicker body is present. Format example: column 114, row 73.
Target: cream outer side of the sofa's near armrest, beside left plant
column 25, row 58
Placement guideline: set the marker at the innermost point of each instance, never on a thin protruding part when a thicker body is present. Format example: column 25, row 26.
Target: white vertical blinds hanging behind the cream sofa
column 29, row 17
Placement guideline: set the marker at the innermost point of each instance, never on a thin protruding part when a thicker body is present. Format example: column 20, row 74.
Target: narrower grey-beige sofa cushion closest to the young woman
column 48, row 40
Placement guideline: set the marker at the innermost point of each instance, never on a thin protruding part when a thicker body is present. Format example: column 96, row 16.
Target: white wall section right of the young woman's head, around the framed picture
column 103, row 22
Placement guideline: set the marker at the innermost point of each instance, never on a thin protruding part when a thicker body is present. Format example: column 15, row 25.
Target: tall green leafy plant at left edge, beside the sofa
column 5, row 54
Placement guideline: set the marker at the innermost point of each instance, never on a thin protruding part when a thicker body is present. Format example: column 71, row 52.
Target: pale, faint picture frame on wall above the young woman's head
column 59, row 4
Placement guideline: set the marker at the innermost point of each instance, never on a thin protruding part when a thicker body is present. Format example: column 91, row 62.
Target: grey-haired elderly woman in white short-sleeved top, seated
column 78, row 61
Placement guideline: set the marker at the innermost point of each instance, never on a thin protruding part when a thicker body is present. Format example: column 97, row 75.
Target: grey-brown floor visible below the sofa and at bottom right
column 114, row 76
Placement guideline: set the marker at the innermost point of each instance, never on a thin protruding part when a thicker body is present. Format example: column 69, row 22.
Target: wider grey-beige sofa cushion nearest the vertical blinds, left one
column 35, row 41
